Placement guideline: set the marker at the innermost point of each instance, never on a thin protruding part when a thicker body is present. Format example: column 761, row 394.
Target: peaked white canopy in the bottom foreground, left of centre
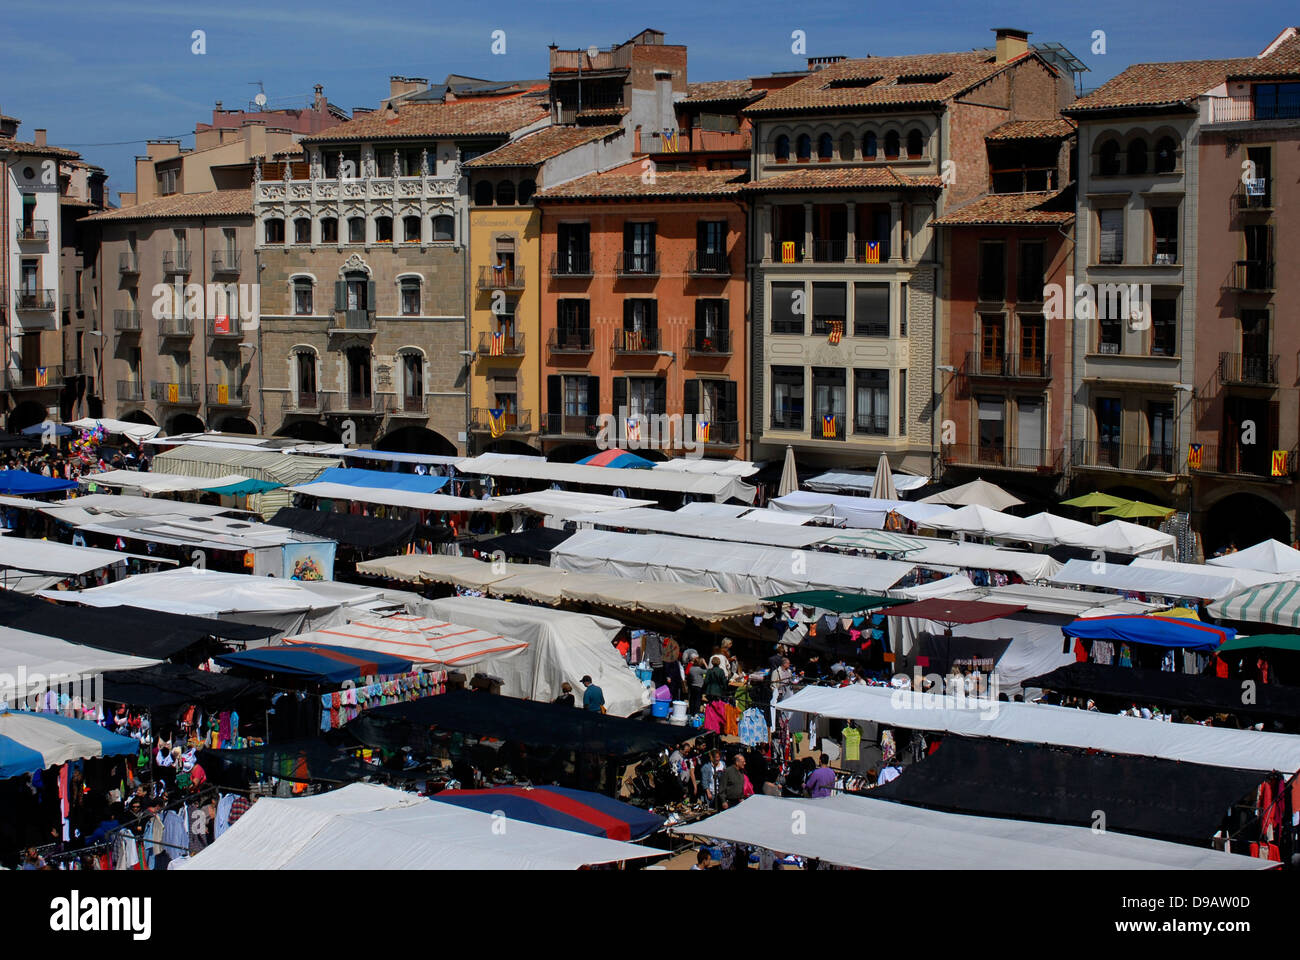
column 366, row 827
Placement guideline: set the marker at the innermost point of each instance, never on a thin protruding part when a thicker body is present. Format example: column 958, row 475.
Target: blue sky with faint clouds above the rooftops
column 105, row 77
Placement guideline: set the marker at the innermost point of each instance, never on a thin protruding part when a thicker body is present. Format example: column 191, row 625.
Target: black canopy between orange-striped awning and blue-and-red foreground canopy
column 508, row 719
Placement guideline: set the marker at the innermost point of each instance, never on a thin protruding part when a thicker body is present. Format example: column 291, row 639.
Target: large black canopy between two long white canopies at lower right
column 1163, row 799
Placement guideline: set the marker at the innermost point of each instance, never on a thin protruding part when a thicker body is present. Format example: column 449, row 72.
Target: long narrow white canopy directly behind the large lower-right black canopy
column 1064, row 727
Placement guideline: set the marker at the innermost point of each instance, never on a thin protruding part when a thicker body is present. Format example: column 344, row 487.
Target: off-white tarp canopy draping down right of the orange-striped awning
column 562, row 646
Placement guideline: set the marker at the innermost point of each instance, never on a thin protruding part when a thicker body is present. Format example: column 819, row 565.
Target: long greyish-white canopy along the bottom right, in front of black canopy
column 882, row 836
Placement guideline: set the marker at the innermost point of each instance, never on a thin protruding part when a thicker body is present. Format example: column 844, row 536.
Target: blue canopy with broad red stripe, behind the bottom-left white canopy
column 579, row 811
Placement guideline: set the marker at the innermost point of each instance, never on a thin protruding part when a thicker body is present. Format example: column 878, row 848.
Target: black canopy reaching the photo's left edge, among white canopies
column 120, row 629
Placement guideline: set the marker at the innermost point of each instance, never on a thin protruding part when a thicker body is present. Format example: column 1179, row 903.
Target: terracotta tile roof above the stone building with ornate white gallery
column 458, row 119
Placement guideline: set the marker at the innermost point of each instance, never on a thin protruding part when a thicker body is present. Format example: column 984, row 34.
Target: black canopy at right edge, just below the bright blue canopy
column 1201, row 695
